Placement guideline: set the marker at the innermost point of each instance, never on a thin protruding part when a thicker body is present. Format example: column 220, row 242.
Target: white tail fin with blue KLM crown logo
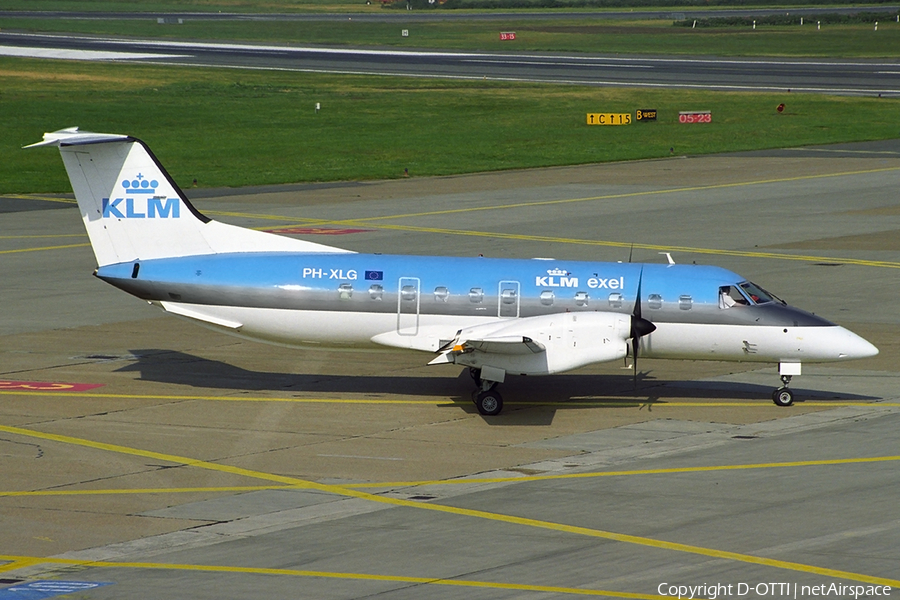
column 133, row 210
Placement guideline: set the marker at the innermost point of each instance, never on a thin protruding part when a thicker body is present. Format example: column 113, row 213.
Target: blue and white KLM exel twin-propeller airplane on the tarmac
column 496, row 317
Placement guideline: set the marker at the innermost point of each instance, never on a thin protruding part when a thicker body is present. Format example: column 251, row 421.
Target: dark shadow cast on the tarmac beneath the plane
column 544, row 394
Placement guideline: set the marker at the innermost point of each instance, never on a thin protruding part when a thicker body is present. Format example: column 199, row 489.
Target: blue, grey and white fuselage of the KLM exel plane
column 367, row 299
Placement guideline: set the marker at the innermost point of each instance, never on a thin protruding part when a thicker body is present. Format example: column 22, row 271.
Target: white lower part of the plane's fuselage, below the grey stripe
column 689, row 341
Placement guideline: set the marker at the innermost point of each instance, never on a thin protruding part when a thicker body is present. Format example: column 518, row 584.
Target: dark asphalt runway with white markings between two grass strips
column 828, row 76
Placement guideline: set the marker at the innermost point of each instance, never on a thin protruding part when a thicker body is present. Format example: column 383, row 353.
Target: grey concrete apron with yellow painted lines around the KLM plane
column 205, row 466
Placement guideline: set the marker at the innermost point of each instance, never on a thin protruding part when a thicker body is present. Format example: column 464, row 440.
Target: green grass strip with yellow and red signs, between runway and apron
column 236, row 128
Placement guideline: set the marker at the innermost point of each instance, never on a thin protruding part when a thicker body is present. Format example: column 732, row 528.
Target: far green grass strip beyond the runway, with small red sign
column 585, row 35
